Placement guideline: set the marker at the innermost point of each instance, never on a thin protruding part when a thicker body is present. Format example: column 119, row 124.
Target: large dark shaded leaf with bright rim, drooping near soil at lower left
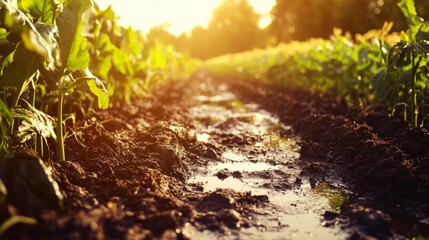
column 29, row 184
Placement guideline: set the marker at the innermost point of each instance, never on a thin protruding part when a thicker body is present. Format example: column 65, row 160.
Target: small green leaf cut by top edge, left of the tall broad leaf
column 43, row 10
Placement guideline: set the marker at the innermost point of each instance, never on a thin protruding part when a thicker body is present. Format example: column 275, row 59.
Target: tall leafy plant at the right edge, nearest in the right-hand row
column 407, row 66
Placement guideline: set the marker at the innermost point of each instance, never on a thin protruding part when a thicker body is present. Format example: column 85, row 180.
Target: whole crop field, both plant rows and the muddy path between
column 108, row 133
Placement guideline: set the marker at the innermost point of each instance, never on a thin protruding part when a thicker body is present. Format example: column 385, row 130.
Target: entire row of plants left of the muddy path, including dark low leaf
column 59, row 60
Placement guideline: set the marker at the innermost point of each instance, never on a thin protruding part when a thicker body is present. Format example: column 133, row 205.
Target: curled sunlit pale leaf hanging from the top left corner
column 16, row 21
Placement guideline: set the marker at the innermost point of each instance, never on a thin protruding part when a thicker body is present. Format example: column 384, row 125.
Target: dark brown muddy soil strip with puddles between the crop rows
column 213, row 157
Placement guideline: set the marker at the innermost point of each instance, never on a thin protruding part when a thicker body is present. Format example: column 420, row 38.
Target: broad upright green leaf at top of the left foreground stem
column 73, row 47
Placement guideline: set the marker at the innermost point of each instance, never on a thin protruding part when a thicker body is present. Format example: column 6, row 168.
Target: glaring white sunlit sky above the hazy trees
column 181, row 15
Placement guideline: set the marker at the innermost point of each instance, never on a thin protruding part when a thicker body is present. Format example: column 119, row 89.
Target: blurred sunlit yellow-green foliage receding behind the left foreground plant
column 129, row 63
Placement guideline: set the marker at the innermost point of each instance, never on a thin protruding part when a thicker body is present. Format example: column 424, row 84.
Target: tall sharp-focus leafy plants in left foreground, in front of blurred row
column 44, row 58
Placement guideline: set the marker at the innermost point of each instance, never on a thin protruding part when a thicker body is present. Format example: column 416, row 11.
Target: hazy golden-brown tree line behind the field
column 234, row 24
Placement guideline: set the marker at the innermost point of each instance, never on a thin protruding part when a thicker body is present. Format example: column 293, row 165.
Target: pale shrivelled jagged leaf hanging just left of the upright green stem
column 33, row 122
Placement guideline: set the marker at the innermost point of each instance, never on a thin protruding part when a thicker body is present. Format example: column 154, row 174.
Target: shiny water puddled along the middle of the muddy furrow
column 293, row 212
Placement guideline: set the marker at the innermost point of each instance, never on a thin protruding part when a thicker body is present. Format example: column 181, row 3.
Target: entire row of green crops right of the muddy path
column 375, row 69
